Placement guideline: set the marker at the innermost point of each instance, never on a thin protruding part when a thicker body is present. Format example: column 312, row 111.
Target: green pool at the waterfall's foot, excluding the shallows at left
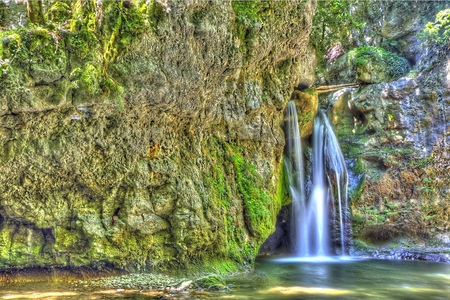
column 348, row 278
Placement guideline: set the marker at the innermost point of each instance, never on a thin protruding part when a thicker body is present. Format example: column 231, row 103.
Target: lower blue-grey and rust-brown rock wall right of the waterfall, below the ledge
column 396, row 136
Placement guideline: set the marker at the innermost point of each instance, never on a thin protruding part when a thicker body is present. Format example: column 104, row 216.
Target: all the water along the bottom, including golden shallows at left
column 289, row 279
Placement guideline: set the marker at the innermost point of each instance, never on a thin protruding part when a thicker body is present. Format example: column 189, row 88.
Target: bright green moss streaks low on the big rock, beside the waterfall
column 232, row 178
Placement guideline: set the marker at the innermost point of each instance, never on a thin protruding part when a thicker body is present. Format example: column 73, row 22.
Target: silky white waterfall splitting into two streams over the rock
column 313, row 217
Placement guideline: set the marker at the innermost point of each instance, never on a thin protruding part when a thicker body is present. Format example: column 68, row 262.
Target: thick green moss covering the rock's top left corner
column 73, row 34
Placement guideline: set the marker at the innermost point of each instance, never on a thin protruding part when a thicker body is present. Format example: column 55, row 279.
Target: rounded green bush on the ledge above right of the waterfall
column 394, row 65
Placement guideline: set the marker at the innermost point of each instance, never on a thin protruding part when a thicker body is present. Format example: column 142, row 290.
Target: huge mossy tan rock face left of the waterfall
column 172, row 160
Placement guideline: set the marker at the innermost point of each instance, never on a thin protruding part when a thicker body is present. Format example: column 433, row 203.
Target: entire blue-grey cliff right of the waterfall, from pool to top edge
column 395, row 131
